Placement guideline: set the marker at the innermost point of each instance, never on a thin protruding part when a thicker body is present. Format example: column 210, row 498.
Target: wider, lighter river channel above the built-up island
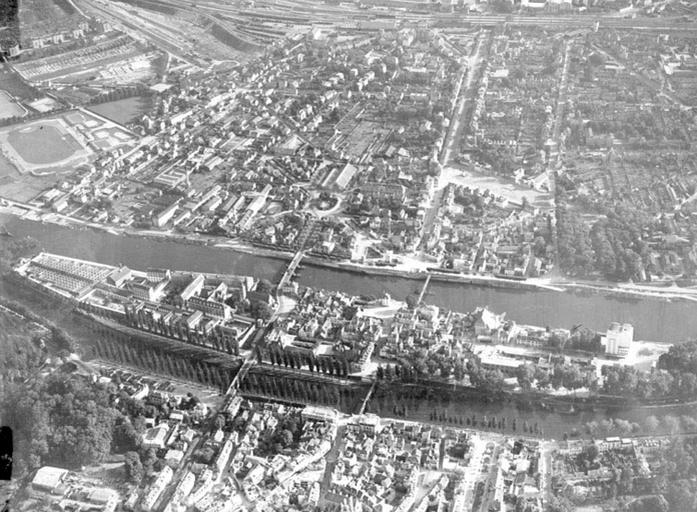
column 653, row 319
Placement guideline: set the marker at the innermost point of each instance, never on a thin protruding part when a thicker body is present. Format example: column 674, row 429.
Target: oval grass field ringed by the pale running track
column 43, row 143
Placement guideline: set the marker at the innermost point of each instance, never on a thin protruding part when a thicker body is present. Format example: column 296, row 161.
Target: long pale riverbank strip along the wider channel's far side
column 622, row 290
